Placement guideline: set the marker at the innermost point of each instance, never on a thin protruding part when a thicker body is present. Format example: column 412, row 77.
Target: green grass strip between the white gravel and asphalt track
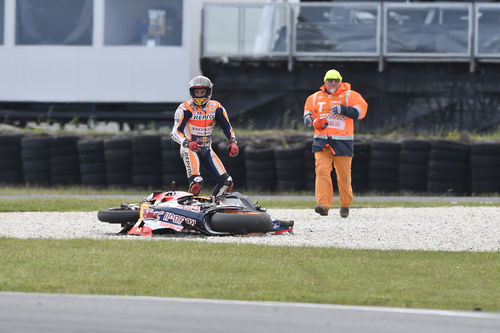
column 168, row 268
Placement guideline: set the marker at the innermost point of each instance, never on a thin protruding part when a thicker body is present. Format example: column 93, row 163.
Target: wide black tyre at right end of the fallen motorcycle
column 241, row 223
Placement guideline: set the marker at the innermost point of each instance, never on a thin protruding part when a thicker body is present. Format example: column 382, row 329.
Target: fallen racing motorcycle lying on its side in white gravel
column 182, row 212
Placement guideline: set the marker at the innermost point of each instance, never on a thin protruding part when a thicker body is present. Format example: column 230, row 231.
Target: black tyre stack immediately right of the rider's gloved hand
column 260, row 166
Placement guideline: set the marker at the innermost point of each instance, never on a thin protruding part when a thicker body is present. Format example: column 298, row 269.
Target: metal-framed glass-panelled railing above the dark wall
column 359, row 31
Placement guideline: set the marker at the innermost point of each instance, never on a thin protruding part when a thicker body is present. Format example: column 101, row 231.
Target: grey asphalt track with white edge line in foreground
column 56, row 313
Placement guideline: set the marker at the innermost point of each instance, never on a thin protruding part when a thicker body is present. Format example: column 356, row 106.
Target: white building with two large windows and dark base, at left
column 96, row 57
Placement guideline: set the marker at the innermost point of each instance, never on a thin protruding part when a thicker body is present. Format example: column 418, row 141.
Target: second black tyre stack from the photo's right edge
column 448, row 167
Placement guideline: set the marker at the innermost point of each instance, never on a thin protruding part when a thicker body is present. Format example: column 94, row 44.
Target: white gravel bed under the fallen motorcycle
column 434, row 229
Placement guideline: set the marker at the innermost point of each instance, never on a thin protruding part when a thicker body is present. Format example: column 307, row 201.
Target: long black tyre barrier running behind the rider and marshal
column 417, row 166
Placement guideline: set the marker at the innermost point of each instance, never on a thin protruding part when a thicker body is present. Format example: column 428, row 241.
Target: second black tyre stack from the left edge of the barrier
column 35, row 155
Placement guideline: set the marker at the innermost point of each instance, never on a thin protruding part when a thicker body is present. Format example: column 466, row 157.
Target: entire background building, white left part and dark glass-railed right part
column 424, row 66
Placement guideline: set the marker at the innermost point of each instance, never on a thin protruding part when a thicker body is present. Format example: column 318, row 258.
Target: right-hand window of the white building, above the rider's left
column 145, row 22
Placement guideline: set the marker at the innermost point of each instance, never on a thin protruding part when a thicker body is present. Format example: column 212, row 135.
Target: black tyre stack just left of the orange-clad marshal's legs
column 290, row 167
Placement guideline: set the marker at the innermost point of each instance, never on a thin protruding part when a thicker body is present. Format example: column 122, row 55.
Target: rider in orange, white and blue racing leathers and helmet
column 193, row 123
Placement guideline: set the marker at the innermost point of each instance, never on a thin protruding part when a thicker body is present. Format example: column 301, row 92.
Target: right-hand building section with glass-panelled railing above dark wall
column 424, row 67
